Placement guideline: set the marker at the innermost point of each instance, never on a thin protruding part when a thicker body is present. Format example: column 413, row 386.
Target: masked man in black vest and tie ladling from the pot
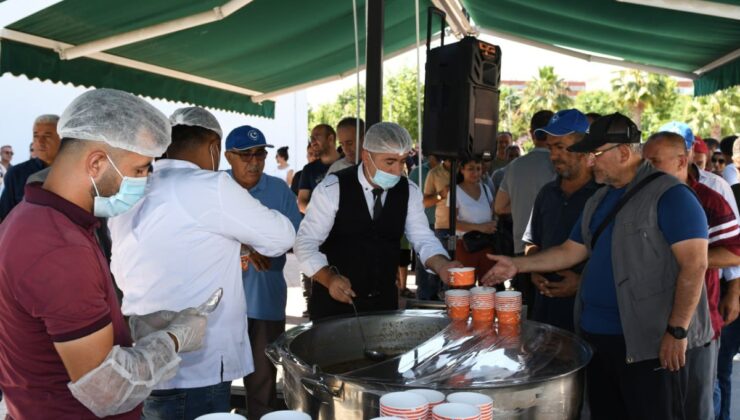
column 349, row 241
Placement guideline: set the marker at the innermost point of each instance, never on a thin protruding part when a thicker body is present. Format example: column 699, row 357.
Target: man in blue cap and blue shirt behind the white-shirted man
column 264, row 283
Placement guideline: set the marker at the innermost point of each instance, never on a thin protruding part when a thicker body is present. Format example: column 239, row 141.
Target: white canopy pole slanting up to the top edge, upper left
column 164, row 28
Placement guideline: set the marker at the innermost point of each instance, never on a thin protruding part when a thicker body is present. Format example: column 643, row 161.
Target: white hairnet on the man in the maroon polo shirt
column 120, row 119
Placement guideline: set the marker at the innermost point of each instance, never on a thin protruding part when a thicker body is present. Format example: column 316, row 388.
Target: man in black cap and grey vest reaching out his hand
column 641, row 303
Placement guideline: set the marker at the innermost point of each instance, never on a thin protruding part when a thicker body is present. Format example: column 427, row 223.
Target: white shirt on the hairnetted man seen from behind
column 179, row 244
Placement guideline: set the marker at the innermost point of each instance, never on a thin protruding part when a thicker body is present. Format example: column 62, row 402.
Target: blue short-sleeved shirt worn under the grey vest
column 600, row 313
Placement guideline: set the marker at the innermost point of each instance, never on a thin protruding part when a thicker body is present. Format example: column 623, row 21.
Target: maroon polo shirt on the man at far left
column 55, row 286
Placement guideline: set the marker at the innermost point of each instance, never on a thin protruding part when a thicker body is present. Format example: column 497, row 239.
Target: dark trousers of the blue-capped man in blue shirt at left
column 261, row 384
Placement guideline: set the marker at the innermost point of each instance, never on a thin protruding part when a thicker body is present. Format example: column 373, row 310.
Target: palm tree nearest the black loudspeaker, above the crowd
column 546, row 91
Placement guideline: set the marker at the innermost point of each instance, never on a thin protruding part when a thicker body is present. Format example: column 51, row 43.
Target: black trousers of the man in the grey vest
column 621, row 391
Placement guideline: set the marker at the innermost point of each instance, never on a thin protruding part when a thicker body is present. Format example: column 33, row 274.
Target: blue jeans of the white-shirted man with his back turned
column 187, row 403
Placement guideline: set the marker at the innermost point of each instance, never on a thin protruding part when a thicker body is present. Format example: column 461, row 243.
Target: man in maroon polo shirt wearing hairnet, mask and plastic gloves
column 65, row 349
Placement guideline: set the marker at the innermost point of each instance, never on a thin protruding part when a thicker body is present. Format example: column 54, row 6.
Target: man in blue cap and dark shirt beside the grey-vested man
column 555, row 212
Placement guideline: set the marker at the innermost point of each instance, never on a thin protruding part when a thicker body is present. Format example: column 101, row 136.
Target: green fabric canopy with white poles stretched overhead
column 238, row 55
